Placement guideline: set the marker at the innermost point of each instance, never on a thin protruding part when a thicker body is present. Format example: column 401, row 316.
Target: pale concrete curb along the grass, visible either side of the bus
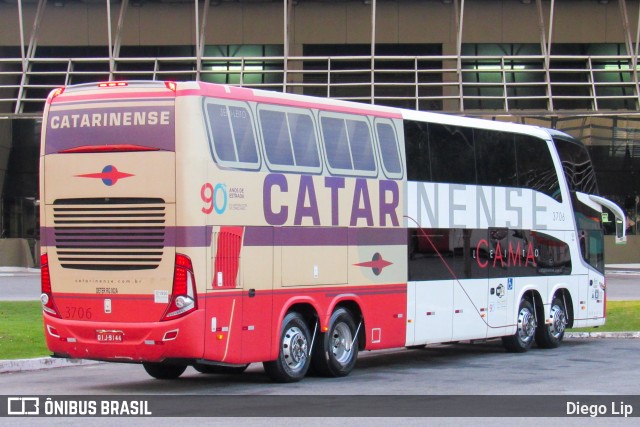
column 19, row 365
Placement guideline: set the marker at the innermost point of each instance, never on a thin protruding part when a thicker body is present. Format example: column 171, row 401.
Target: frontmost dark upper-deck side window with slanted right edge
column 535, row 166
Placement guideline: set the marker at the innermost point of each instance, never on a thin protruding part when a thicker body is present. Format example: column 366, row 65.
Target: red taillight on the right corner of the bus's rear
column 183, row 297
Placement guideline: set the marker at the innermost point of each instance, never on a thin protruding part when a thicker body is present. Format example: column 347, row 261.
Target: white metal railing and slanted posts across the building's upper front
column 457, row 83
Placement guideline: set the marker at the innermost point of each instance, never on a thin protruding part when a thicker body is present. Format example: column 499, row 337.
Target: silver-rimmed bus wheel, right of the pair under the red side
column 336, row 351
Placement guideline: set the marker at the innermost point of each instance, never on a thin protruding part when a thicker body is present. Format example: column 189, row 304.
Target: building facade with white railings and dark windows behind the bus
column 566, row 64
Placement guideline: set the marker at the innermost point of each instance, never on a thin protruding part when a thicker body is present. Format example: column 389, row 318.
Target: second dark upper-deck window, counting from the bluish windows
column 452, row 154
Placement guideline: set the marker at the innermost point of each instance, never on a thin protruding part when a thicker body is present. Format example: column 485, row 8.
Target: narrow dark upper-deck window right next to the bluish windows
column 416, row 139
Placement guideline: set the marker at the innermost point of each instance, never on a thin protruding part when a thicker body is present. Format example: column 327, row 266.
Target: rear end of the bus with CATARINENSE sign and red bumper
column 113, row 286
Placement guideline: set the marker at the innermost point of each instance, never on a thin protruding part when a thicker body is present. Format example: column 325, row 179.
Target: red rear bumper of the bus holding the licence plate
column 127, row 342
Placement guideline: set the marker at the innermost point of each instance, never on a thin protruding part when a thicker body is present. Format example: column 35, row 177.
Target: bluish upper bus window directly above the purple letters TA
column 348, row 145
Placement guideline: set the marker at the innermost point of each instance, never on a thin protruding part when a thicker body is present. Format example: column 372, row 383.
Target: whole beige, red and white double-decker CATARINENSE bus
column 192, row 224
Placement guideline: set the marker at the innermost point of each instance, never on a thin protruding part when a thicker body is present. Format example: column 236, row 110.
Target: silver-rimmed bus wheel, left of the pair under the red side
column 293, row 359
